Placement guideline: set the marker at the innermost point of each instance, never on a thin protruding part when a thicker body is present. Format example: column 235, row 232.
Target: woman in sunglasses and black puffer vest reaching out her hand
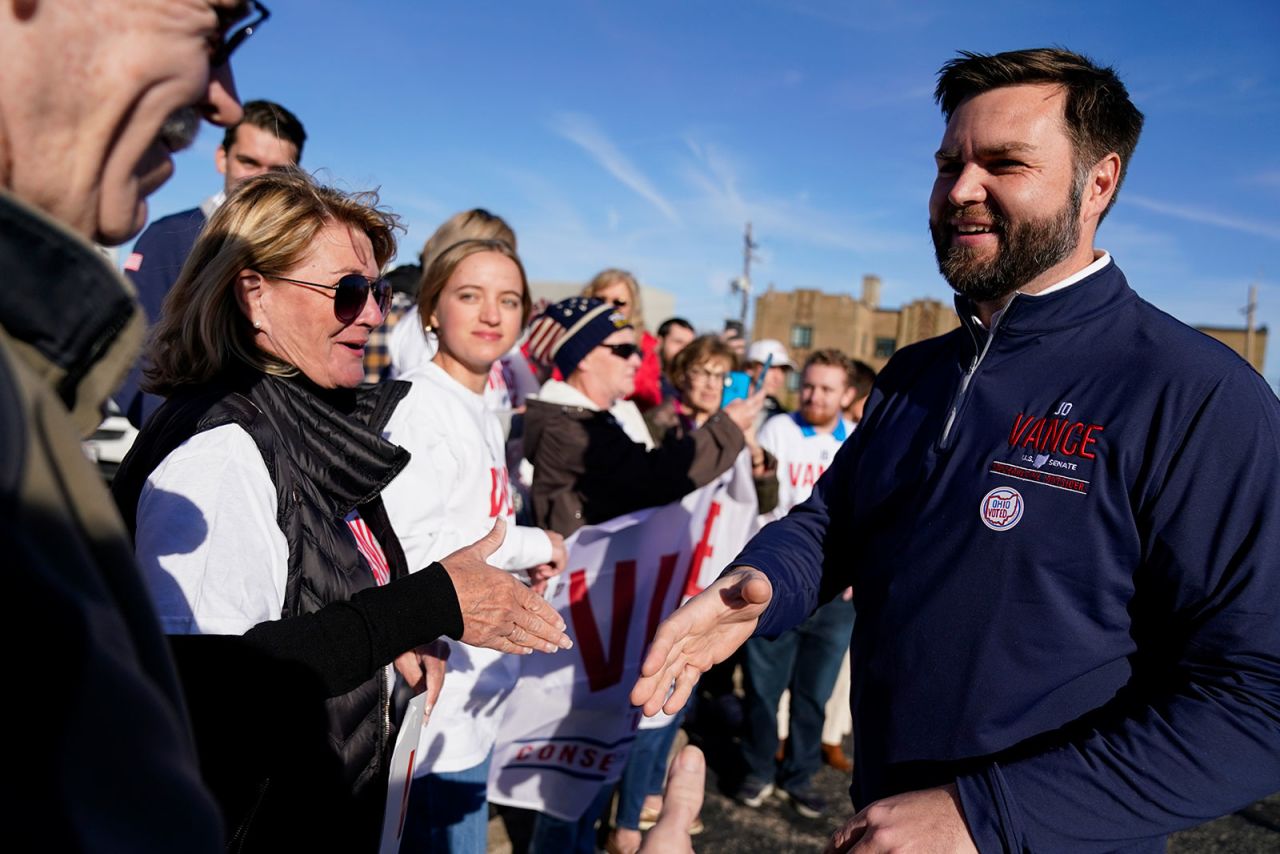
column 254, row 496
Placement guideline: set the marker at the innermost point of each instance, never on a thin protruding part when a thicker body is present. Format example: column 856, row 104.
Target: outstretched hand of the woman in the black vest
column 499, row 611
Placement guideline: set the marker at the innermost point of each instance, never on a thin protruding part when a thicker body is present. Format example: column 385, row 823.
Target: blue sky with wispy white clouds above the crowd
column 647, row 135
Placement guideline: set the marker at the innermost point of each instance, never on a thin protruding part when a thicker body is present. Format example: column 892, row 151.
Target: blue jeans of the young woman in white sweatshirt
column 449, row 812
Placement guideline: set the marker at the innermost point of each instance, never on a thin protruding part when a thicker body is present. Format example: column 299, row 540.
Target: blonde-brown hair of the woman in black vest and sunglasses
column 267, row 225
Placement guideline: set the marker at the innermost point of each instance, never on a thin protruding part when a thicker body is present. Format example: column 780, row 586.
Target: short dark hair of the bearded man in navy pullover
column 1099, row 115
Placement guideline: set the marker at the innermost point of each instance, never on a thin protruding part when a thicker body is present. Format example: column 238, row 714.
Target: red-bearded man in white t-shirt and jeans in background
column 807, row 659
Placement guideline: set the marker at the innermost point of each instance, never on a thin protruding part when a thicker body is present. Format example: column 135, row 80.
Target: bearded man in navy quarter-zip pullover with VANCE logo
column 1066, row 561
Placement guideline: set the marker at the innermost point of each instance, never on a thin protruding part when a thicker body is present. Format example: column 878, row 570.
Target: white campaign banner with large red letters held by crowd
column 569, row 724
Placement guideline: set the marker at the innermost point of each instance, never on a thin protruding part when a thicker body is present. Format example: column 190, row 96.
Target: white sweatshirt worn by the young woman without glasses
column 449, row 496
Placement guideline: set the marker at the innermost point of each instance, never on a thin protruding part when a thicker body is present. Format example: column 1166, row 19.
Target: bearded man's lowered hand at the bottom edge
column 929, row 821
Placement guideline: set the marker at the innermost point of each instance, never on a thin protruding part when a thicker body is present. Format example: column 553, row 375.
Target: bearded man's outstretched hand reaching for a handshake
column 702, row 633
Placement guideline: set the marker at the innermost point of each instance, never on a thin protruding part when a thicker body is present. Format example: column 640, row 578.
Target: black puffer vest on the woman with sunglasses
column 327, row 458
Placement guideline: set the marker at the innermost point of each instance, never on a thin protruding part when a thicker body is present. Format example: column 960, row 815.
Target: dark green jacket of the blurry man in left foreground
column 104, row 760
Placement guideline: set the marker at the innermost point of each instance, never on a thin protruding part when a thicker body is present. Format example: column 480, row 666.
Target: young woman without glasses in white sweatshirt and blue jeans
column 476, row 302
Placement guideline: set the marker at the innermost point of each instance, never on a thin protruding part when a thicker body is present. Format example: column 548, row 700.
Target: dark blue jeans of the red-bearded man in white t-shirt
column 807, row 660
